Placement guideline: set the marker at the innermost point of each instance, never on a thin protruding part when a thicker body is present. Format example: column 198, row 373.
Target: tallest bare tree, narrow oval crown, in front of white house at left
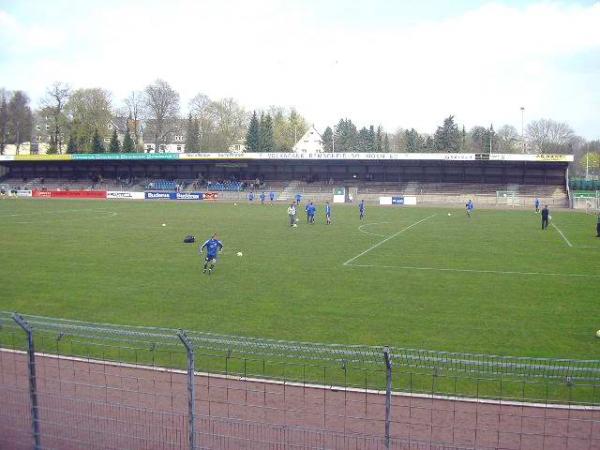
column 162, row 103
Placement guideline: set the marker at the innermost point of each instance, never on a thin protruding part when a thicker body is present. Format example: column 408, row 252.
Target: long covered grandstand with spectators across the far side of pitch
column 432, row 178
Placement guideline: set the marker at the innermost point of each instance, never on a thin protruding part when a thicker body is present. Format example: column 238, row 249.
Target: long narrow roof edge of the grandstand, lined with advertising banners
column 295, row 156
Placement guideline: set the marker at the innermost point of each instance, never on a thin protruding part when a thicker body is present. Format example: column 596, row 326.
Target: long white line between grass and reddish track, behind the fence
column 308, row 385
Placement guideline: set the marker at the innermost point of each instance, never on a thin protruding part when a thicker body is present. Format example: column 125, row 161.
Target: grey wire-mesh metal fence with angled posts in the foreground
column 72, row 385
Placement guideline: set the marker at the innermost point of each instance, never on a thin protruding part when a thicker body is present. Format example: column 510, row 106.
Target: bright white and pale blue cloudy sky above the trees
column 395, row 63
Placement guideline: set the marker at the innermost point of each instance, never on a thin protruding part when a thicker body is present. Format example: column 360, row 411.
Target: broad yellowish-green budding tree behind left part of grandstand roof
column 92, row 113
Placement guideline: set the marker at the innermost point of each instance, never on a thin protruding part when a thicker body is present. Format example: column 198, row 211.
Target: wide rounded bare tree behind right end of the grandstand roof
column 547, row 135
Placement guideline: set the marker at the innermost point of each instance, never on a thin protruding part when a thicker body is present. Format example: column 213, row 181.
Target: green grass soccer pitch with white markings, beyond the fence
column 408, row 277
